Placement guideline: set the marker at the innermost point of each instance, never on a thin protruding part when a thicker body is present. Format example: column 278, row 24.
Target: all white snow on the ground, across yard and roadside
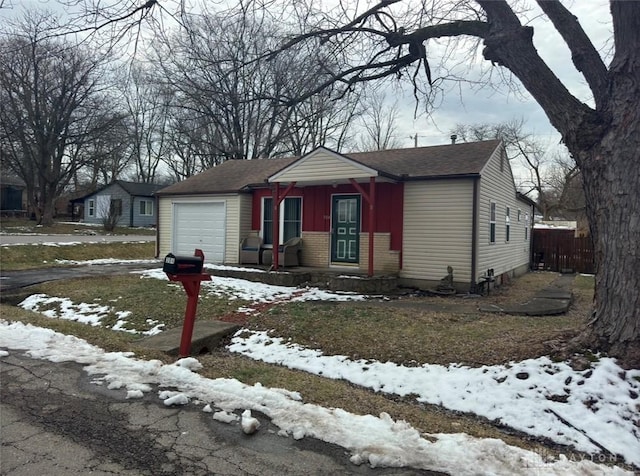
column 600, row 404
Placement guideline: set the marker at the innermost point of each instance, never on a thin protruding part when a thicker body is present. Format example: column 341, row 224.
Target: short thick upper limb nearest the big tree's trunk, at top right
column 583, row 54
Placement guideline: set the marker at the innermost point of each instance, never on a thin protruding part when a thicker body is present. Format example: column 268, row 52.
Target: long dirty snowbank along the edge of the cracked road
column 374, row 440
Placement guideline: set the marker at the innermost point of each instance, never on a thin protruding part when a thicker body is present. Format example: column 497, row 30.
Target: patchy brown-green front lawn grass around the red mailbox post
column 412, row 333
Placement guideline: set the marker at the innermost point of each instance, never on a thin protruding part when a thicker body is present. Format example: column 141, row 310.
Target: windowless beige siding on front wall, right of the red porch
column 437, row 229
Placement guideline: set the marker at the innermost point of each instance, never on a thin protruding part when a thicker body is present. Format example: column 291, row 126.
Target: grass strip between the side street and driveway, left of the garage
column 18, row 257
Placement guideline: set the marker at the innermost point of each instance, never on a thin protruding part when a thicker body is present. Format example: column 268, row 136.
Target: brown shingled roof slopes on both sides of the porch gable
column 451, row 160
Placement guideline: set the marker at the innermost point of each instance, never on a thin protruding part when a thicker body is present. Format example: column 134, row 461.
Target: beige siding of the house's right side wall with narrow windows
column 496, row 185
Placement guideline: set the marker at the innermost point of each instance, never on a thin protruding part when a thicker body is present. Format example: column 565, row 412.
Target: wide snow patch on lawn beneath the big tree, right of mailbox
column 533, row 396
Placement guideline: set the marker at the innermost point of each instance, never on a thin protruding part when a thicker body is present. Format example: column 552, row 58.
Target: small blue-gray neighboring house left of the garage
column 133, row 202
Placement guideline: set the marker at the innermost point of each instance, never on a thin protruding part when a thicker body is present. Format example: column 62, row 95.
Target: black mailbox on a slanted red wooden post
column 188, row 271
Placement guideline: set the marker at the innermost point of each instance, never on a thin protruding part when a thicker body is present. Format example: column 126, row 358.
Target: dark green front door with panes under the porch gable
column 345, row 229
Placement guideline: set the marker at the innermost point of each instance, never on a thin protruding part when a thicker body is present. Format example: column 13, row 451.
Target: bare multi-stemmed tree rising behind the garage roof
column 235, row 107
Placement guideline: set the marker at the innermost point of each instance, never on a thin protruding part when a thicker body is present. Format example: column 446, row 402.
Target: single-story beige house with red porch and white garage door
column 407, row 212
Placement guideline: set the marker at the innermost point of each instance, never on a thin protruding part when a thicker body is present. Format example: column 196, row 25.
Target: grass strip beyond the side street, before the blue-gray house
column 23, row 225
